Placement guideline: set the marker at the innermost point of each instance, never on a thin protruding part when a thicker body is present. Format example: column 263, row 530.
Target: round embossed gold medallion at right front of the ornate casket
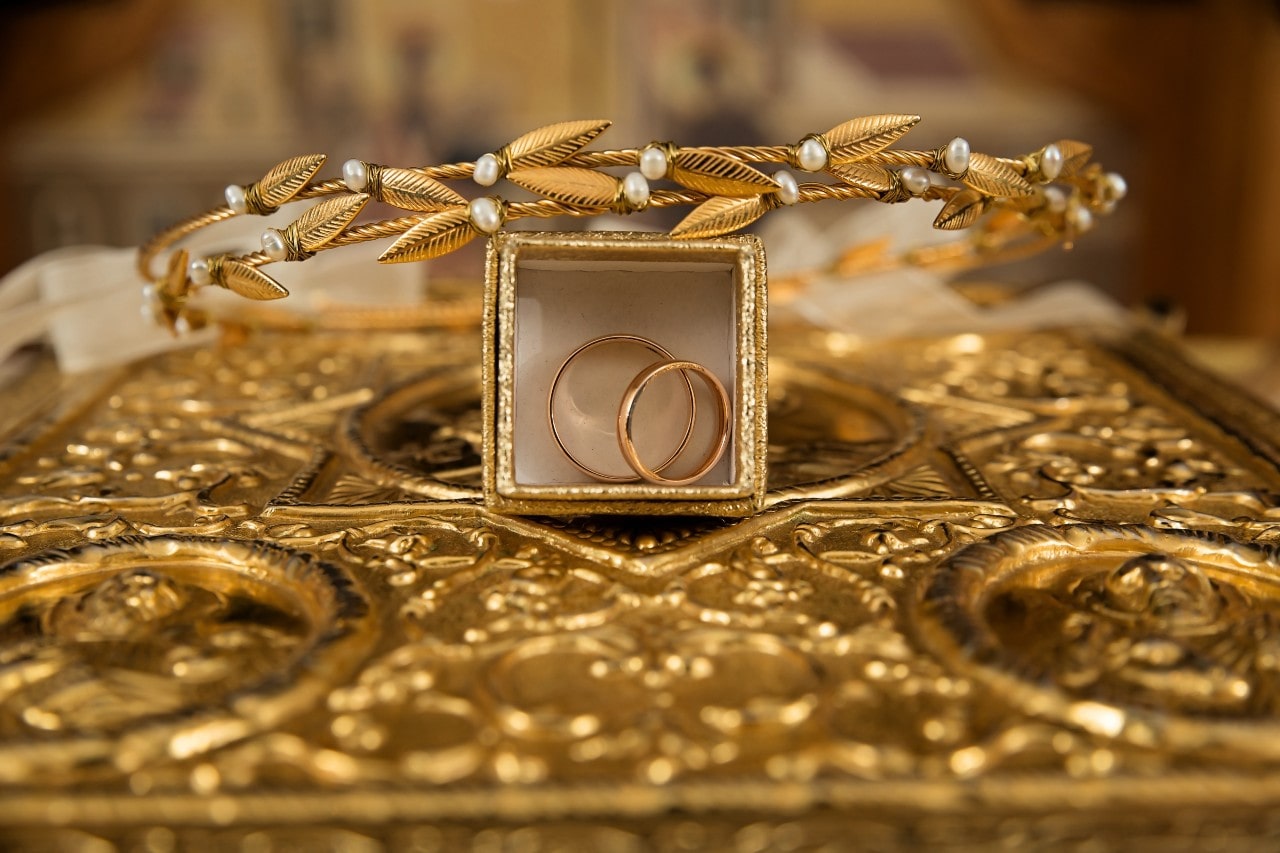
column 1124, row 632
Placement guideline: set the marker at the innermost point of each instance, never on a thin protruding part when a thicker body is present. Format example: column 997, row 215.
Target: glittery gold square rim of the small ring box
column 739, row 261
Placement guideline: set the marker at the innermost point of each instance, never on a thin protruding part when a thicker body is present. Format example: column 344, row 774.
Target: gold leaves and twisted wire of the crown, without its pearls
column 1007, row 184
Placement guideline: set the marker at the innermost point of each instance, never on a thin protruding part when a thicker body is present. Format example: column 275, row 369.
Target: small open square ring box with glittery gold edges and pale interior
column 551, row 300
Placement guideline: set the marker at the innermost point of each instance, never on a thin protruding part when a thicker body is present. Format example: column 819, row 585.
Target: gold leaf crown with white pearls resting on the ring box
column 1011, row 206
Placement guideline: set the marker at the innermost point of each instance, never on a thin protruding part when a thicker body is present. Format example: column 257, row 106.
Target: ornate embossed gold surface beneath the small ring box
column 1007, row 590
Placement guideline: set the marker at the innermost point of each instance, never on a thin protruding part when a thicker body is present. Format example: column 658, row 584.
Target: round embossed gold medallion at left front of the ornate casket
column 122, row 654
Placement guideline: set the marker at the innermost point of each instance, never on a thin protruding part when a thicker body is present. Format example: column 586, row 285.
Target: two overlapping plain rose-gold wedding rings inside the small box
column 625, row 425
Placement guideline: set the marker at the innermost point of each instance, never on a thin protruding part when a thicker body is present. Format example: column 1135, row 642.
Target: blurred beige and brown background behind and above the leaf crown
column 125, row 116
